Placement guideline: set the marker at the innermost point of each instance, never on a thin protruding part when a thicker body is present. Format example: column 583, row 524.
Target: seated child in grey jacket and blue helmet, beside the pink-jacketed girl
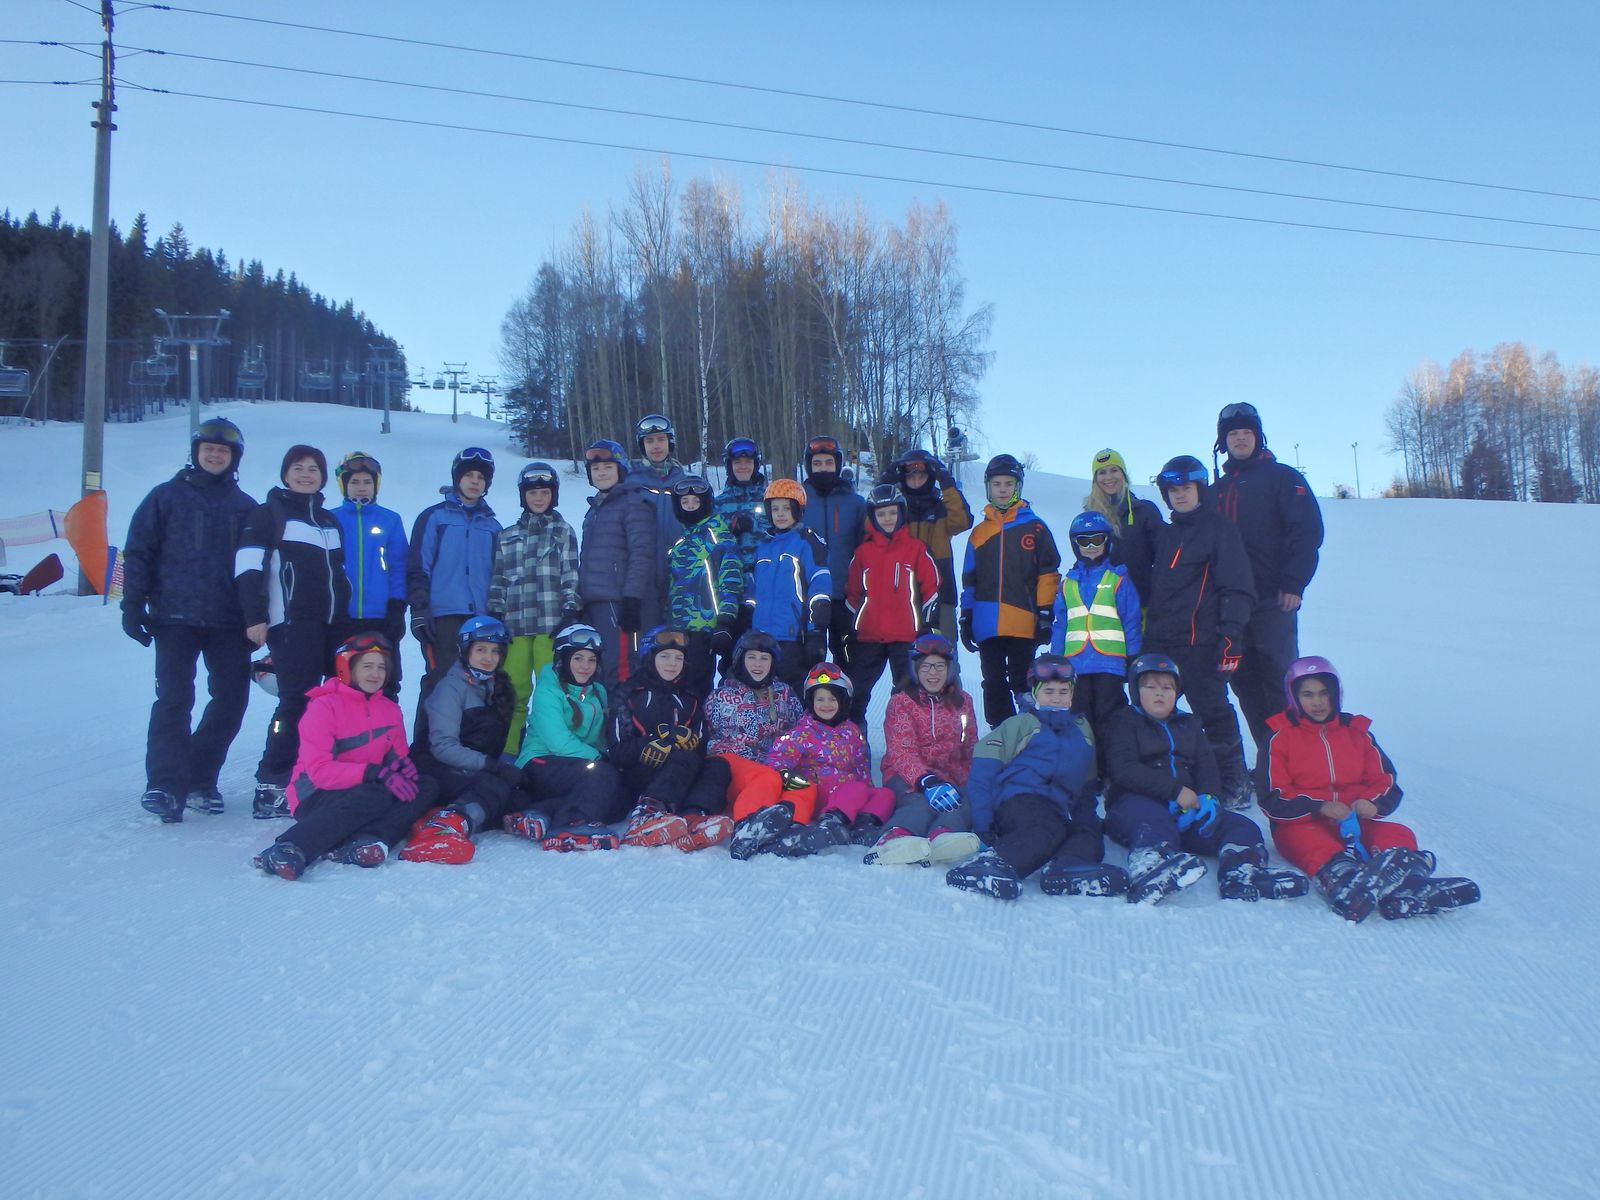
column 466, row 718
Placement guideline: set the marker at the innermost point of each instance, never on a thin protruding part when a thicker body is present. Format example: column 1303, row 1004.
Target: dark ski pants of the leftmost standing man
column 177, row 759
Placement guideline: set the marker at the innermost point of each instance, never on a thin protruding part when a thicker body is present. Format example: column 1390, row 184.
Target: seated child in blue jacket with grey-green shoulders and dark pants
column 1033, row 794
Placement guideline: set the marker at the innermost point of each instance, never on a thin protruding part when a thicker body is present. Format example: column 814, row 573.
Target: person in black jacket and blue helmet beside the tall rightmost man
column 1201, row 601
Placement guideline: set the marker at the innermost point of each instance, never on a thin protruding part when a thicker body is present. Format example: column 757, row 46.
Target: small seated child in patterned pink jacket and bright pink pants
column 823, row 761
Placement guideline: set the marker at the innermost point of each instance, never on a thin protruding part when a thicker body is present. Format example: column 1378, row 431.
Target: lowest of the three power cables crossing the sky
column 860, row 175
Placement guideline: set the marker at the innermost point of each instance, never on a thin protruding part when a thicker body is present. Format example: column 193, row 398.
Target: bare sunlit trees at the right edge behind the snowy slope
column 1506, row 425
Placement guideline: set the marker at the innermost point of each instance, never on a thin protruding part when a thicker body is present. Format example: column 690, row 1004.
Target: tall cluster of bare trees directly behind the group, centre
column 777, row 326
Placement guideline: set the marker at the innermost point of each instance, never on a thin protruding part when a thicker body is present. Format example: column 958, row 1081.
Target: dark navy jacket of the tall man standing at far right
column 1278, row 518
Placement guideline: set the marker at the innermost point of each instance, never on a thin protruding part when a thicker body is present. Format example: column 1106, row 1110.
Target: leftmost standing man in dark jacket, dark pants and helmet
column 178, row 593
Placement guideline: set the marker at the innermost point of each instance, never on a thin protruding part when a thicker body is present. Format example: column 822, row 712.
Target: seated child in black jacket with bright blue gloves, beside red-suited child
column 1162, row 801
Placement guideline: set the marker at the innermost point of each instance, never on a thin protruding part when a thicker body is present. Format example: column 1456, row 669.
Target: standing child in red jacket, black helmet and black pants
column 894, row 596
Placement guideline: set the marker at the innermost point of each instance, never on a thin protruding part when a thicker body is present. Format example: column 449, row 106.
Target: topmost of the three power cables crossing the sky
column 886, row 106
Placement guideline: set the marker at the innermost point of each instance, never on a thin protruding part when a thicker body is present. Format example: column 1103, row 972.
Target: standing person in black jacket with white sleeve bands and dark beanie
column 297, row 599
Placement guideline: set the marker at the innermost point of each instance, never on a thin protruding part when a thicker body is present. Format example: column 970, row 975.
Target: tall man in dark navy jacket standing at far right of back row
column 1281, row 524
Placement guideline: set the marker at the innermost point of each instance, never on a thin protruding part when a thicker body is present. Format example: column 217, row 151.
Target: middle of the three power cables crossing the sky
column 862, row 142
